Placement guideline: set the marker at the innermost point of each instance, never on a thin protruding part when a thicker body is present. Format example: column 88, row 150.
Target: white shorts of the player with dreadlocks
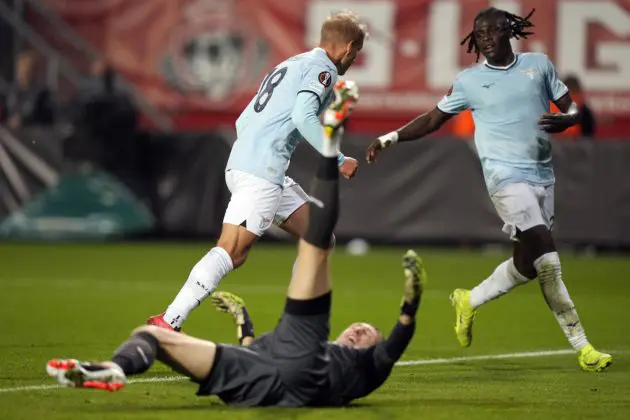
column 522, row 206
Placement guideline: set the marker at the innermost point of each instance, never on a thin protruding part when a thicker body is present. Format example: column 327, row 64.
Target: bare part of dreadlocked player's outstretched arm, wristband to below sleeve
column 421, row 126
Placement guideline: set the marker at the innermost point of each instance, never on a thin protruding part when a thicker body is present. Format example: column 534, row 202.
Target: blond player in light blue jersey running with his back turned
column 285, row 109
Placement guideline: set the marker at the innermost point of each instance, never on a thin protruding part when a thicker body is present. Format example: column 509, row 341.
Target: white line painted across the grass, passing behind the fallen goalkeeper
column 451, row 360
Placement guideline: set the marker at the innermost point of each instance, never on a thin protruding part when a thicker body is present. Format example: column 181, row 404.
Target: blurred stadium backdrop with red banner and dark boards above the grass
column 118, row 116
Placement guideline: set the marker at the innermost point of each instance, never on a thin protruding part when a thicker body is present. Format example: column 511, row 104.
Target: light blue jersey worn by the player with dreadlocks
column 506, row 103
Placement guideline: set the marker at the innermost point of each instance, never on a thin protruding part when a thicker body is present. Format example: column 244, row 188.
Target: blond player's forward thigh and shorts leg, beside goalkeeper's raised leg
column 293, row 211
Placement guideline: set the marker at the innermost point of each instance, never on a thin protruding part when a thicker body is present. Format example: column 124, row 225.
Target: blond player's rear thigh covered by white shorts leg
column 254, row 202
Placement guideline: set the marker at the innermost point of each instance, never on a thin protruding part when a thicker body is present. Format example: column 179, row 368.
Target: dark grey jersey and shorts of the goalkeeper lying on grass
column 294, row 366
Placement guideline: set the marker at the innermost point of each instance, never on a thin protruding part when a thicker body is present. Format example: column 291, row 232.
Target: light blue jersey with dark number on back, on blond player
column 266, row 132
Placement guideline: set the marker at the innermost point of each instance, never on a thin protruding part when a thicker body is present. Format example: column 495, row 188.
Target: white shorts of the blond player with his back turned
column 257, row 203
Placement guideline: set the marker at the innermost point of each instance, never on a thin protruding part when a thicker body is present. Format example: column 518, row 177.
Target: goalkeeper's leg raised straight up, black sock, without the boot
column 298, row 342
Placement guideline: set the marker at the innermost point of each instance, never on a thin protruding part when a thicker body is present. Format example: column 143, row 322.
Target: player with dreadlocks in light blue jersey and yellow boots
column 509, row 95
